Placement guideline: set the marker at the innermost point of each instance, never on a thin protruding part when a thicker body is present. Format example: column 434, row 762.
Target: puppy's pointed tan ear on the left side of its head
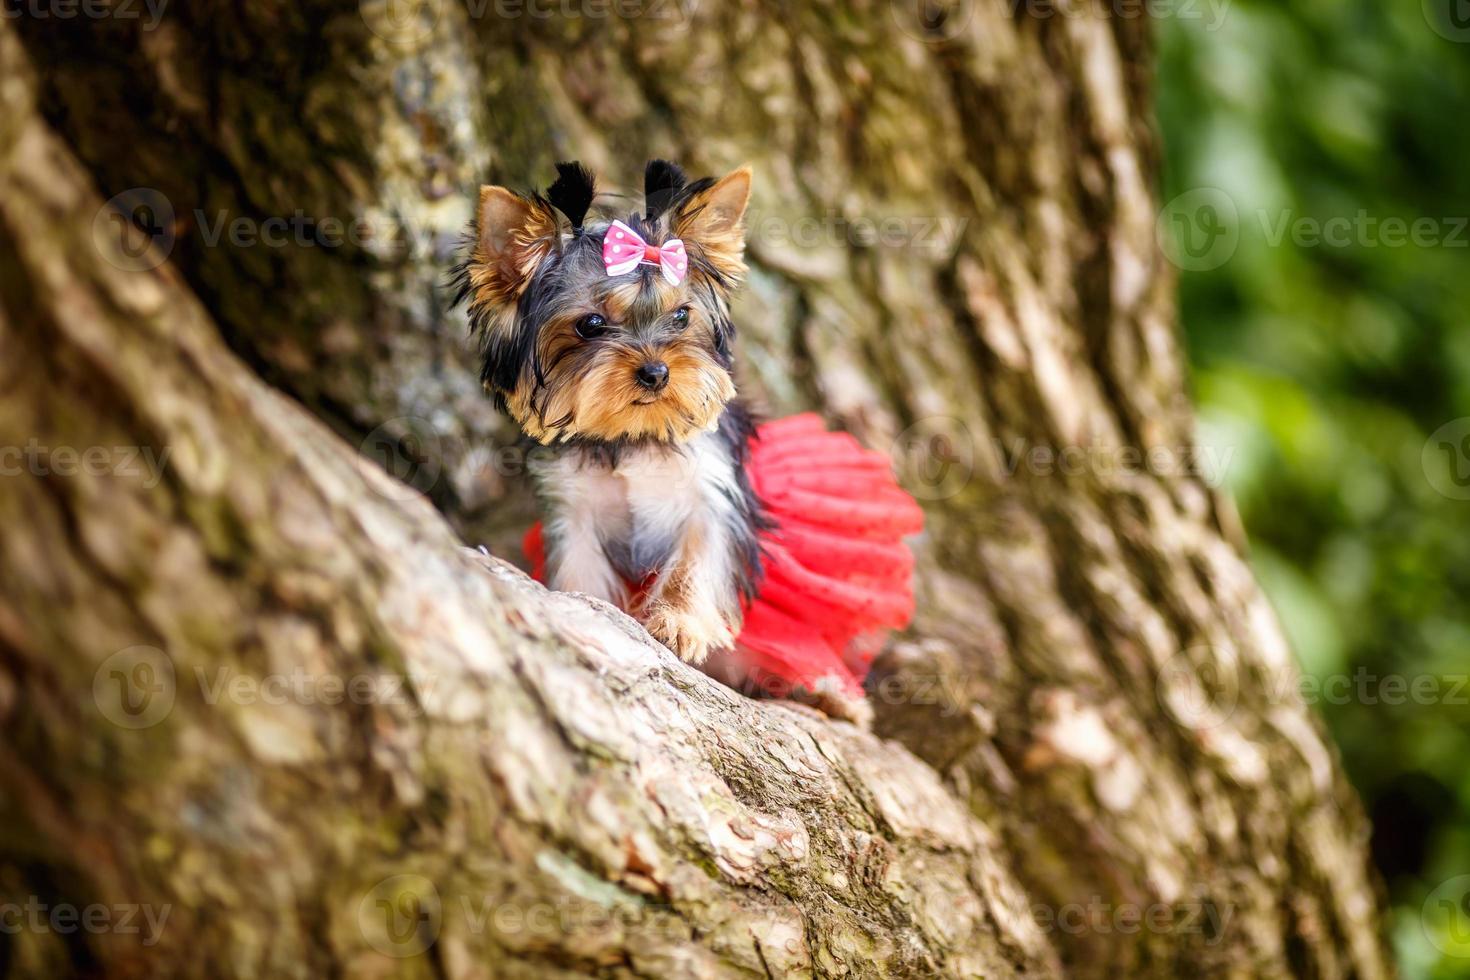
column 512, row 236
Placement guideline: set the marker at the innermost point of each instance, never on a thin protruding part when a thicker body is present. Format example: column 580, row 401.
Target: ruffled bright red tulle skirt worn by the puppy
column 839, row 575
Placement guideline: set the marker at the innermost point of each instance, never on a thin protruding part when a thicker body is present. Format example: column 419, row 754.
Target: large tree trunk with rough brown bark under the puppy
column 953, row 255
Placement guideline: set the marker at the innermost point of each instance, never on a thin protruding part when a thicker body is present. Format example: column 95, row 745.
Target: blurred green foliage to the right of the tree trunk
column 1324, row 368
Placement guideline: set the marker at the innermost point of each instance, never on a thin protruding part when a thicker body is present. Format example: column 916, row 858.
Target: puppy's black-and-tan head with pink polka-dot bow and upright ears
column 603, row 330
